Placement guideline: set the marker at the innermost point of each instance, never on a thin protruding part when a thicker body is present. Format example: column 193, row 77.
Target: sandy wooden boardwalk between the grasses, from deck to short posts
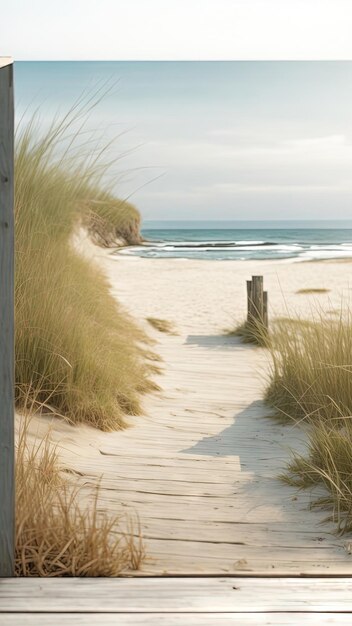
column 201, row 468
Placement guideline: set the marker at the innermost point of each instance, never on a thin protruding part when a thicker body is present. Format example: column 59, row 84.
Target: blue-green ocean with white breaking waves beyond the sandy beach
column 259, row 243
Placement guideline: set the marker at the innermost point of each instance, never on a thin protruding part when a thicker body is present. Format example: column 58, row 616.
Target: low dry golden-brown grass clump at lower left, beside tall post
column 55, row 535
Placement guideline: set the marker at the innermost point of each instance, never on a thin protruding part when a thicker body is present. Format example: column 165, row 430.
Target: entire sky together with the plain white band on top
column 196, row 140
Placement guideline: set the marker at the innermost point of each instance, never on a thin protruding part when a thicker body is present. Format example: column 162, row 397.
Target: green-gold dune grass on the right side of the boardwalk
column 311, row 383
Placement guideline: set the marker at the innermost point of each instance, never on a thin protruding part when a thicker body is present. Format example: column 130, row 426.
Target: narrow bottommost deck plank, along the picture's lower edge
column 185, row 619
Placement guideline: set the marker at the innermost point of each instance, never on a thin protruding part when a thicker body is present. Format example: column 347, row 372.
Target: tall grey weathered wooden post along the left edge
column 7, row 481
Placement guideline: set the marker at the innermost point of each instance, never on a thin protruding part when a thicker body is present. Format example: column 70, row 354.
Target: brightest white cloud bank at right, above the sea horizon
column 299, row 162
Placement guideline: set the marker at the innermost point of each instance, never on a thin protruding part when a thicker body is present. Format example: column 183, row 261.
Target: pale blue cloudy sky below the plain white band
column 235, row 140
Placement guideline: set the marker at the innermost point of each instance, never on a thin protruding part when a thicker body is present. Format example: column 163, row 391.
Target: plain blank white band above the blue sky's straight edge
column 176, row 29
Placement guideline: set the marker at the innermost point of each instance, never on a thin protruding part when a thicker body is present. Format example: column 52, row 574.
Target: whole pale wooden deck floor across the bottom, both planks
column 176, row 602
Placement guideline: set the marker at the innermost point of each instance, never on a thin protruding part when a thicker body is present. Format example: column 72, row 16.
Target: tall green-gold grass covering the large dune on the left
column 76, row 349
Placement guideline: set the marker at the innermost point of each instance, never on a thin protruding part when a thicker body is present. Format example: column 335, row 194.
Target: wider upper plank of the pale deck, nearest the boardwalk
column 176, row 595
